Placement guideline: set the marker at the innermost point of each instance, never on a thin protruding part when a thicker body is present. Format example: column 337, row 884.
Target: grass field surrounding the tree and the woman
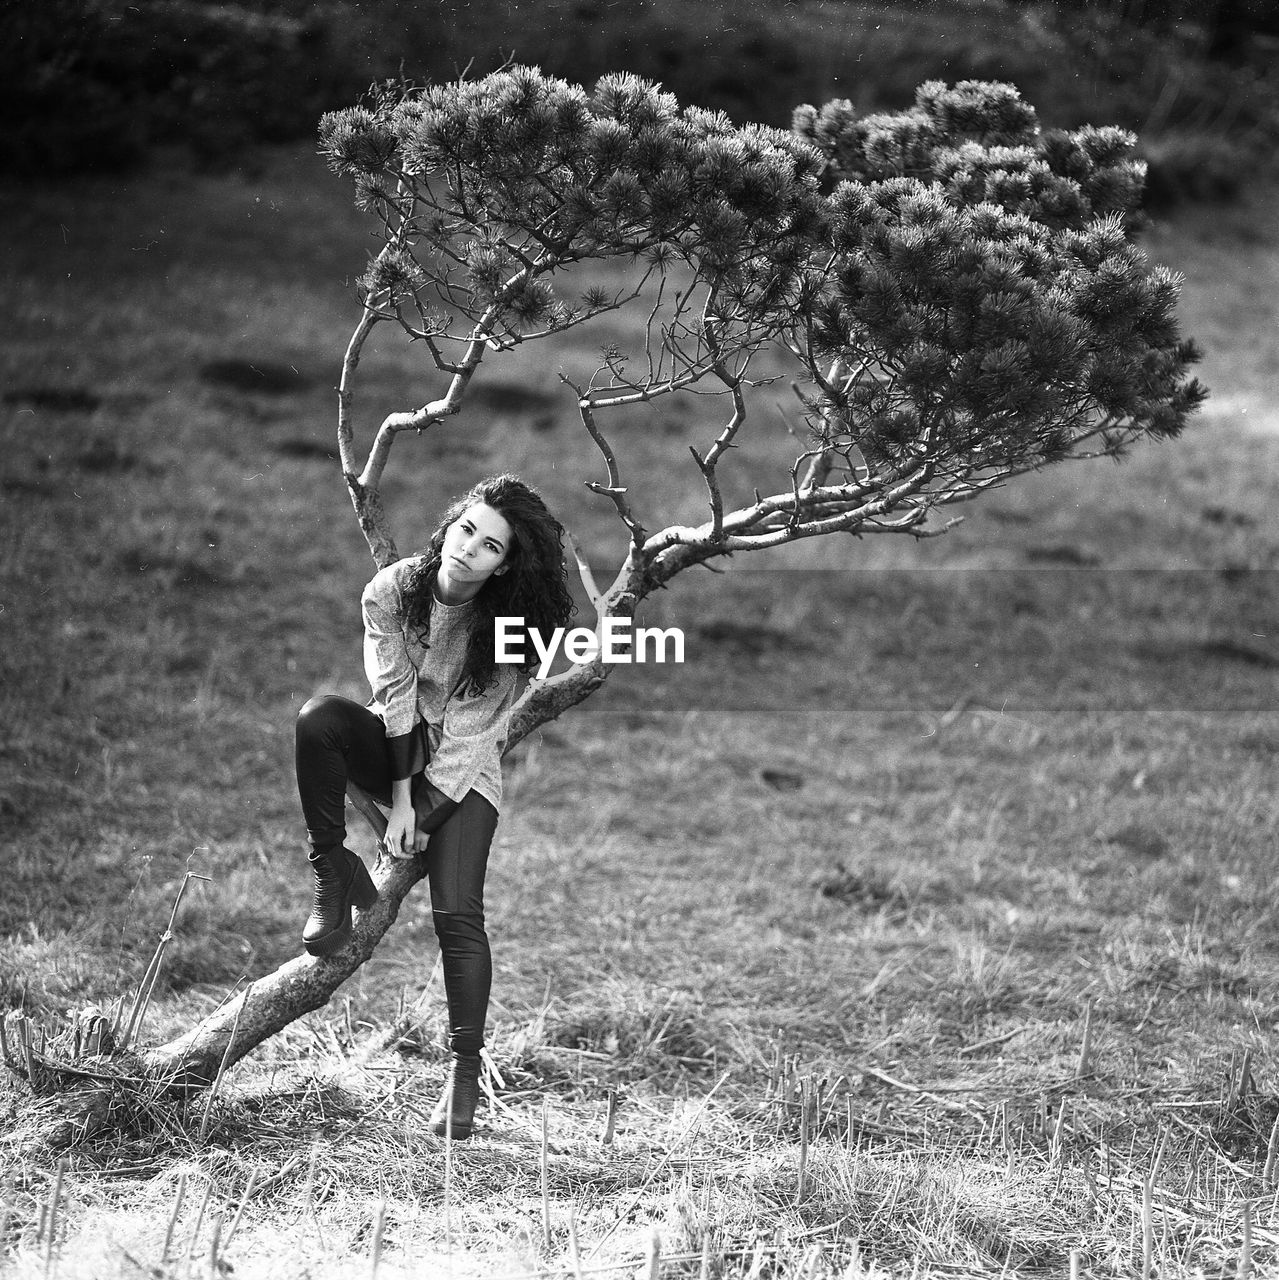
column 922, row 922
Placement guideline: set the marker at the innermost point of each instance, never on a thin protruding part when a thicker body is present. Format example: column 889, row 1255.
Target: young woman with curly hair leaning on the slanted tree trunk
column 431, row 744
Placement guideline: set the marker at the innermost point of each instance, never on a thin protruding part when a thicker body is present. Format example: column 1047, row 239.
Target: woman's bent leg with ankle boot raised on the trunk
column 337, row 739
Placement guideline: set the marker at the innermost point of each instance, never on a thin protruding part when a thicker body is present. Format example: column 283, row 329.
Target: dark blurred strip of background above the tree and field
column 99, row 85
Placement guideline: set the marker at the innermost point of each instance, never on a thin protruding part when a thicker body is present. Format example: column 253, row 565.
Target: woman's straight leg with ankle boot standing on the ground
column 456, row 863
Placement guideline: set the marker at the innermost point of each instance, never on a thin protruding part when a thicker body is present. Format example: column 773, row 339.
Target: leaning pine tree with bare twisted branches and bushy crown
column 956, row 290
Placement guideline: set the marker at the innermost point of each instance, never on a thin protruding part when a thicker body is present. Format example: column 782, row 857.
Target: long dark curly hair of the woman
column 535, row 587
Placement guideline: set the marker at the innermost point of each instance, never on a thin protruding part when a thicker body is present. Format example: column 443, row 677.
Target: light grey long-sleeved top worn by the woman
column 414, row 684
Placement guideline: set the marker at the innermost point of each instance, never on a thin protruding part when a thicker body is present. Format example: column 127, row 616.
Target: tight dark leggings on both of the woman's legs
column 340, row 740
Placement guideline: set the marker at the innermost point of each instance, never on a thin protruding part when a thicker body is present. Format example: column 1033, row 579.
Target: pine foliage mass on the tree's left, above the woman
column 490, row 188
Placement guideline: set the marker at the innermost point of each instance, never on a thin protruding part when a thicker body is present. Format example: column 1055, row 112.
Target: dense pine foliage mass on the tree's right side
column 985, row 292
